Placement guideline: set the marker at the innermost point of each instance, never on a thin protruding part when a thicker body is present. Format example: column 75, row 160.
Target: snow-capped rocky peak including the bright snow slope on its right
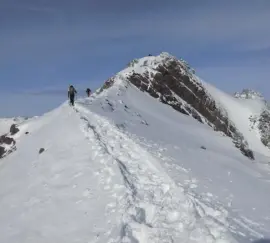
column 174, row 83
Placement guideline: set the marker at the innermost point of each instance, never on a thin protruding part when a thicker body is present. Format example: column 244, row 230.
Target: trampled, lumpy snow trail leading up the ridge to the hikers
column 155, row 209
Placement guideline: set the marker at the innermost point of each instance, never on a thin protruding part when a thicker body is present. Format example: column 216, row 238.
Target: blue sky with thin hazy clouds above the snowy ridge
column 45, row 45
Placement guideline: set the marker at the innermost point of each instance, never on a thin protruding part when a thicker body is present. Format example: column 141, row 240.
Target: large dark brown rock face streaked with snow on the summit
column 173, row 82
